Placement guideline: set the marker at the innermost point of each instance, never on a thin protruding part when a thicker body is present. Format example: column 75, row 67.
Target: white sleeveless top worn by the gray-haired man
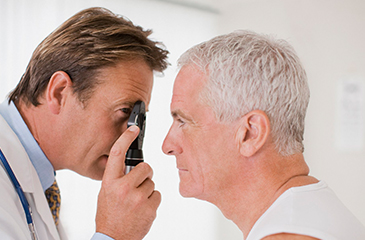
column 313, row 210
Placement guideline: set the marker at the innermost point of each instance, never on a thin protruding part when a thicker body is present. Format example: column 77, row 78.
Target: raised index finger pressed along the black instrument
column 115, row 165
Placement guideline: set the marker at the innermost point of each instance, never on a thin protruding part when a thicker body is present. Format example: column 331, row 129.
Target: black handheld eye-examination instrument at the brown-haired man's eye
column 134, row 154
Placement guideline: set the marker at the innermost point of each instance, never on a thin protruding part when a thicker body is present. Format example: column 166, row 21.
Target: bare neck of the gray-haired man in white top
column 260, row 185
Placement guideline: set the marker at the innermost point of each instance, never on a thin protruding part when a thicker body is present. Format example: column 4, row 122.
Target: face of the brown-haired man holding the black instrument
column 91, row 129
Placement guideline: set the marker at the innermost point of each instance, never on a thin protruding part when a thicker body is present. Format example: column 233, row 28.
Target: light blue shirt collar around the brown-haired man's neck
column 39, row 160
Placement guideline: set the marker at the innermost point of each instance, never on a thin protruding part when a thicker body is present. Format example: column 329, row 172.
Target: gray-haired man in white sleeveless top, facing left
column 238, row 108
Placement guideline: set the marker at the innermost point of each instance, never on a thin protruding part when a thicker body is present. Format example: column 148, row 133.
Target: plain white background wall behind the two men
column 328, row 36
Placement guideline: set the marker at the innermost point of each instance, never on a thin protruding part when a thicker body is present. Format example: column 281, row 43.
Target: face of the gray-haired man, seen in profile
column 202, row 145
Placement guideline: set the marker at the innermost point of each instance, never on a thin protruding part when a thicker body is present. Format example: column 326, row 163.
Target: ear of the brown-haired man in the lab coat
column 58, row 89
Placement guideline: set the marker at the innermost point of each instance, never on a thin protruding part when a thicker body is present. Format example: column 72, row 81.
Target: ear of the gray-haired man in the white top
column 253, row 132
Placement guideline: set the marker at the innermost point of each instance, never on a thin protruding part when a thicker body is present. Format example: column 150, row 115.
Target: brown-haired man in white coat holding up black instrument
column 70, row 111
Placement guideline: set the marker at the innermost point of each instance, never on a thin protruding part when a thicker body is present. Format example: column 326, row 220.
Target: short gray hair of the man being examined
column 249, row 71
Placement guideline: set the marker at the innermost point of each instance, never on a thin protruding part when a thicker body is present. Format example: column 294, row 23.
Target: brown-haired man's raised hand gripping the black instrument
column 127, row 204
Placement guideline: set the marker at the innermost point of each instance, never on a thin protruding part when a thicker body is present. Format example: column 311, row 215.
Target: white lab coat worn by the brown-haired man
column 13, row 225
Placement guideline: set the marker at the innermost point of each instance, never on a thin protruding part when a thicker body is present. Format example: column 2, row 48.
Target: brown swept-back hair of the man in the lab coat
column 90, row 40
